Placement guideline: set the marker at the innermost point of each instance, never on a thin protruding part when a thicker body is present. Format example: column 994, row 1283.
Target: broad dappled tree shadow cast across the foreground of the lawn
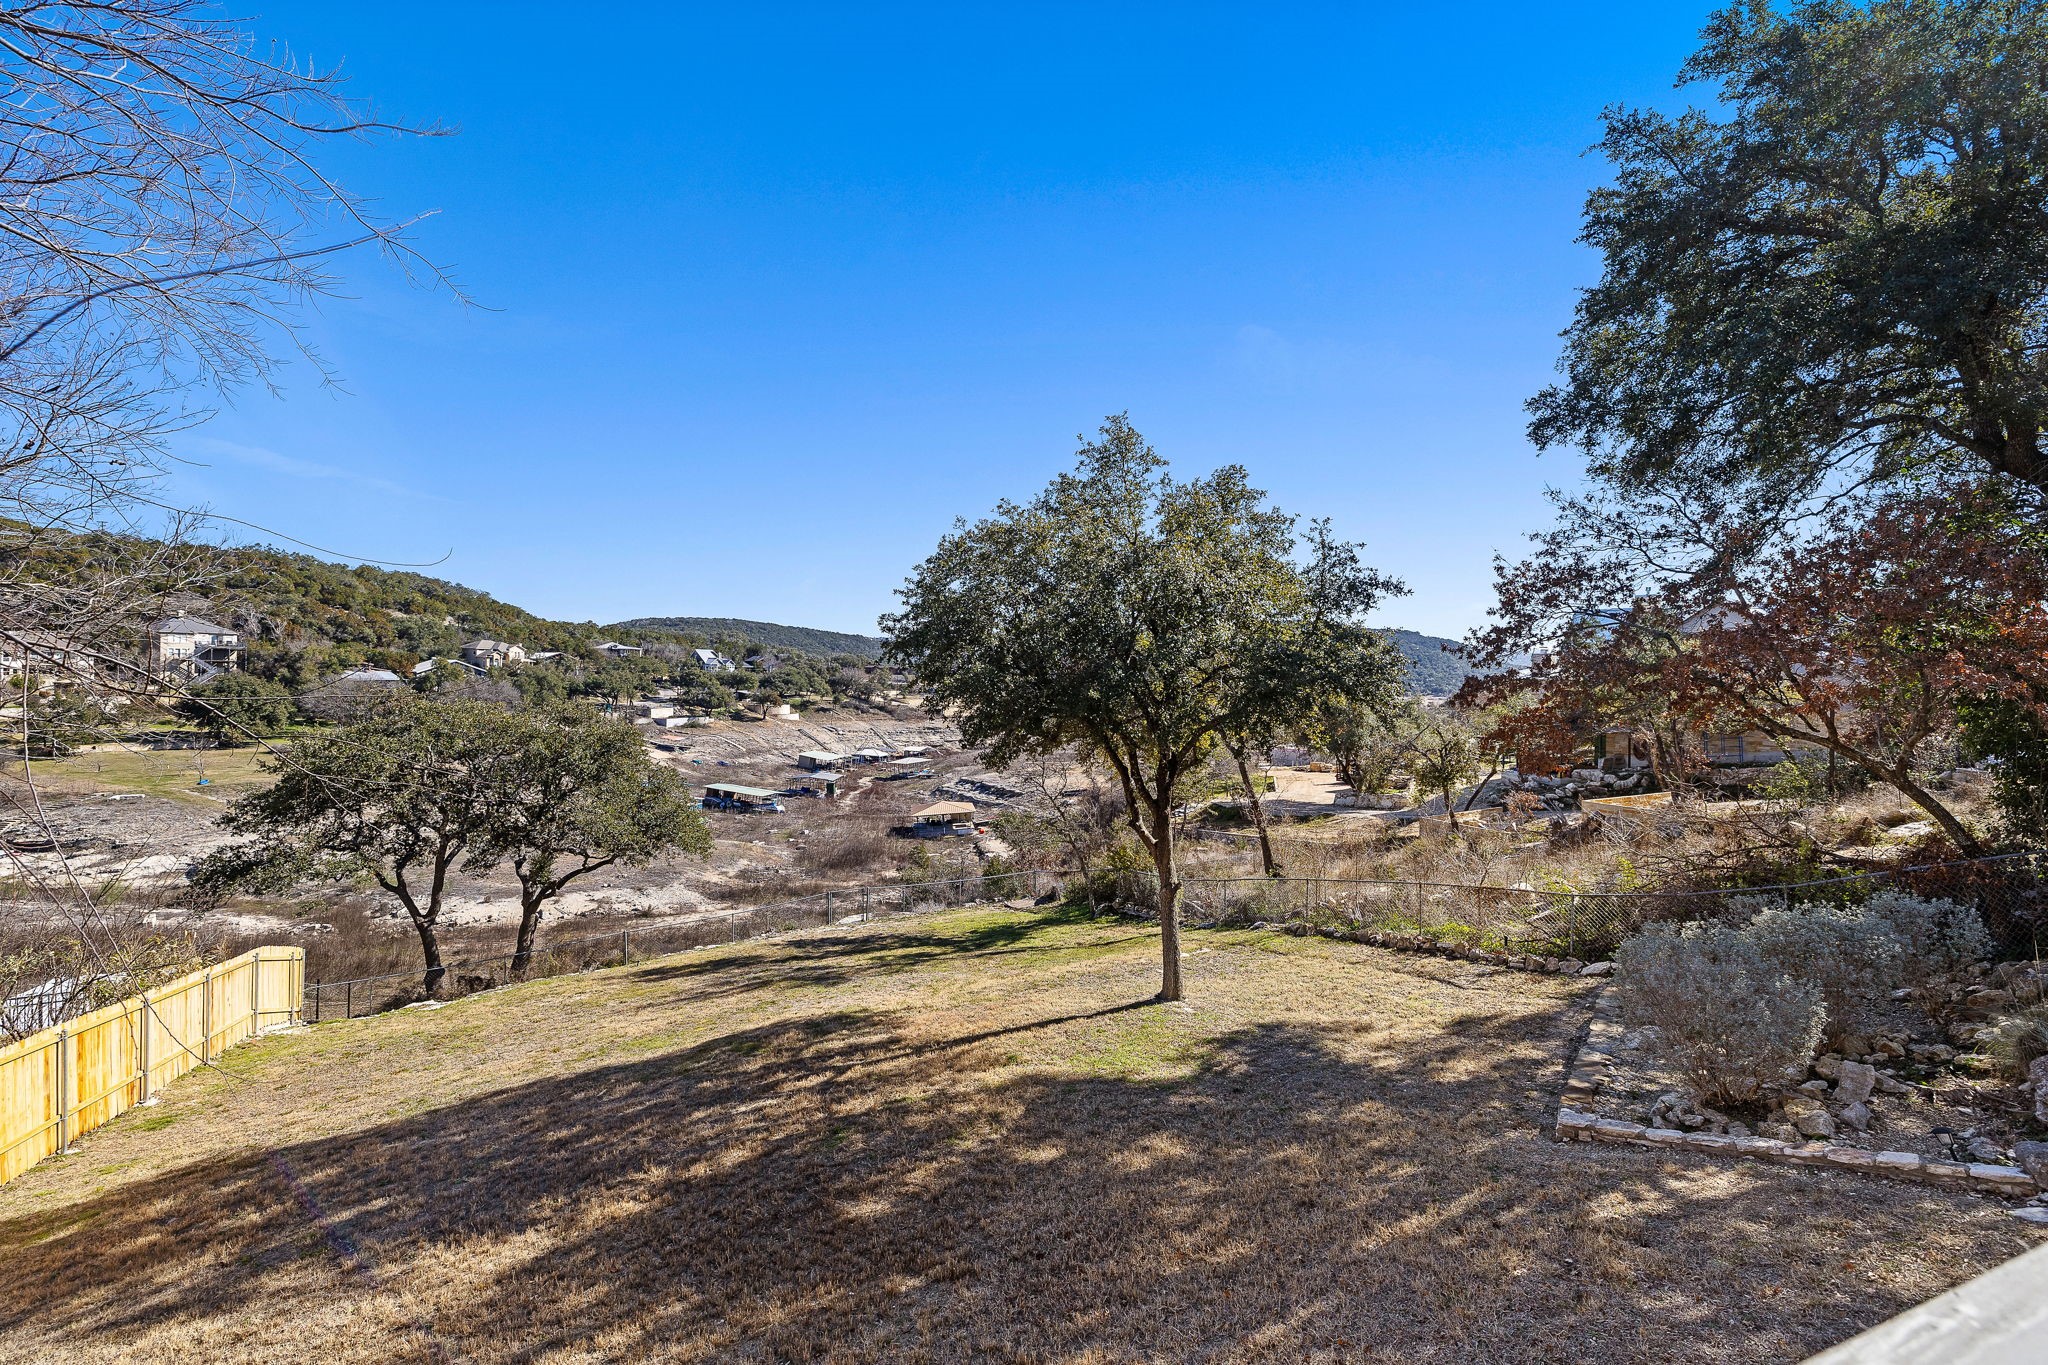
column 851, row 1188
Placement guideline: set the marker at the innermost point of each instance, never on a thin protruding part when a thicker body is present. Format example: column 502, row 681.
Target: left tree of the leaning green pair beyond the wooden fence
column 402, row 795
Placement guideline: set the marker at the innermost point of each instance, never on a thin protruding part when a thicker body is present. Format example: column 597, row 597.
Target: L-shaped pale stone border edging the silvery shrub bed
column 1596, row 1055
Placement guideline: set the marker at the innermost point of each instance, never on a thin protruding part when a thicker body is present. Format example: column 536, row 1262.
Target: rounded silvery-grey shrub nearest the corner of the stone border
column 1730, row 1020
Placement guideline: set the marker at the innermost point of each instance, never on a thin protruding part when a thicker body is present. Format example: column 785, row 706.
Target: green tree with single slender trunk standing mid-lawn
column 1136, row 615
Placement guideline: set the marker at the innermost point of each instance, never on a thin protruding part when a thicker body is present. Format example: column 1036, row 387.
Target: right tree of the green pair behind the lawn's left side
column 581, row 795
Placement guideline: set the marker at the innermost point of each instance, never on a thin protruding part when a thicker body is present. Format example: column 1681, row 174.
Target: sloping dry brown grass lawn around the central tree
column 951, row 1139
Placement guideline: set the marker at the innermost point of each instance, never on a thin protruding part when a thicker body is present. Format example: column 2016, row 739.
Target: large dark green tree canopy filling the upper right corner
column 1846, row 273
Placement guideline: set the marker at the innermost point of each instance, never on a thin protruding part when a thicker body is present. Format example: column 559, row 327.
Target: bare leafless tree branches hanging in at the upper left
column 163, row 224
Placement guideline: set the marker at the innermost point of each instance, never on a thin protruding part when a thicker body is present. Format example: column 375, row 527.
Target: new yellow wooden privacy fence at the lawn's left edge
column 87, row 1071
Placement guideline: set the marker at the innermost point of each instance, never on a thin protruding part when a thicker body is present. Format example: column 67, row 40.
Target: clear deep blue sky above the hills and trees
column 773, row 294
